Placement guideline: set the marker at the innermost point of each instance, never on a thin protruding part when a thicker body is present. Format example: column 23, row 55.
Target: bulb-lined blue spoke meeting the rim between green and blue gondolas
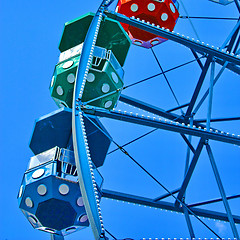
column 170, row 126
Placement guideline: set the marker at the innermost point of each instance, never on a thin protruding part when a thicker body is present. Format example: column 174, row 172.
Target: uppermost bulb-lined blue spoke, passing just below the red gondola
column 193, row 44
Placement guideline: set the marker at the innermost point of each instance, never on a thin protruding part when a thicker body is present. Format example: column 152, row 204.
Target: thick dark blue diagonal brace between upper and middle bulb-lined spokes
column 198, row 87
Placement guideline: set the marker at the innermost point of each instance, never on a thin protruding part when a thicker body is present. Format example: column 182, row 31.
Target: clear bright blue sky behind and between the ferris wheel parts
column 30, row 33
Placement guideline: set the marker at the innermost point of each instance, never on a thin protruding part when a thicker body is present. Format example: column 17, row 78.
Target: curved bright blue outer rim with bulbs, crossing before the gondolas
column 79, row 142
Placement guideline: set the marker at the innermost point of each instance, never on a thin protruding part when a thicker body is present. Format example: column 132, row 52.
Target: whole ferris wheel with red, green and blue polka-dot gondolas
column 62, row 187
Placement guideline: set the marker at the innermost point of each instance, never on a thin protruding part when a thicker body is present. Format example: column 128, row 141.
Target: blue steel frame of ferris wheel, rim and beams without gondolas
column 82, row 157
